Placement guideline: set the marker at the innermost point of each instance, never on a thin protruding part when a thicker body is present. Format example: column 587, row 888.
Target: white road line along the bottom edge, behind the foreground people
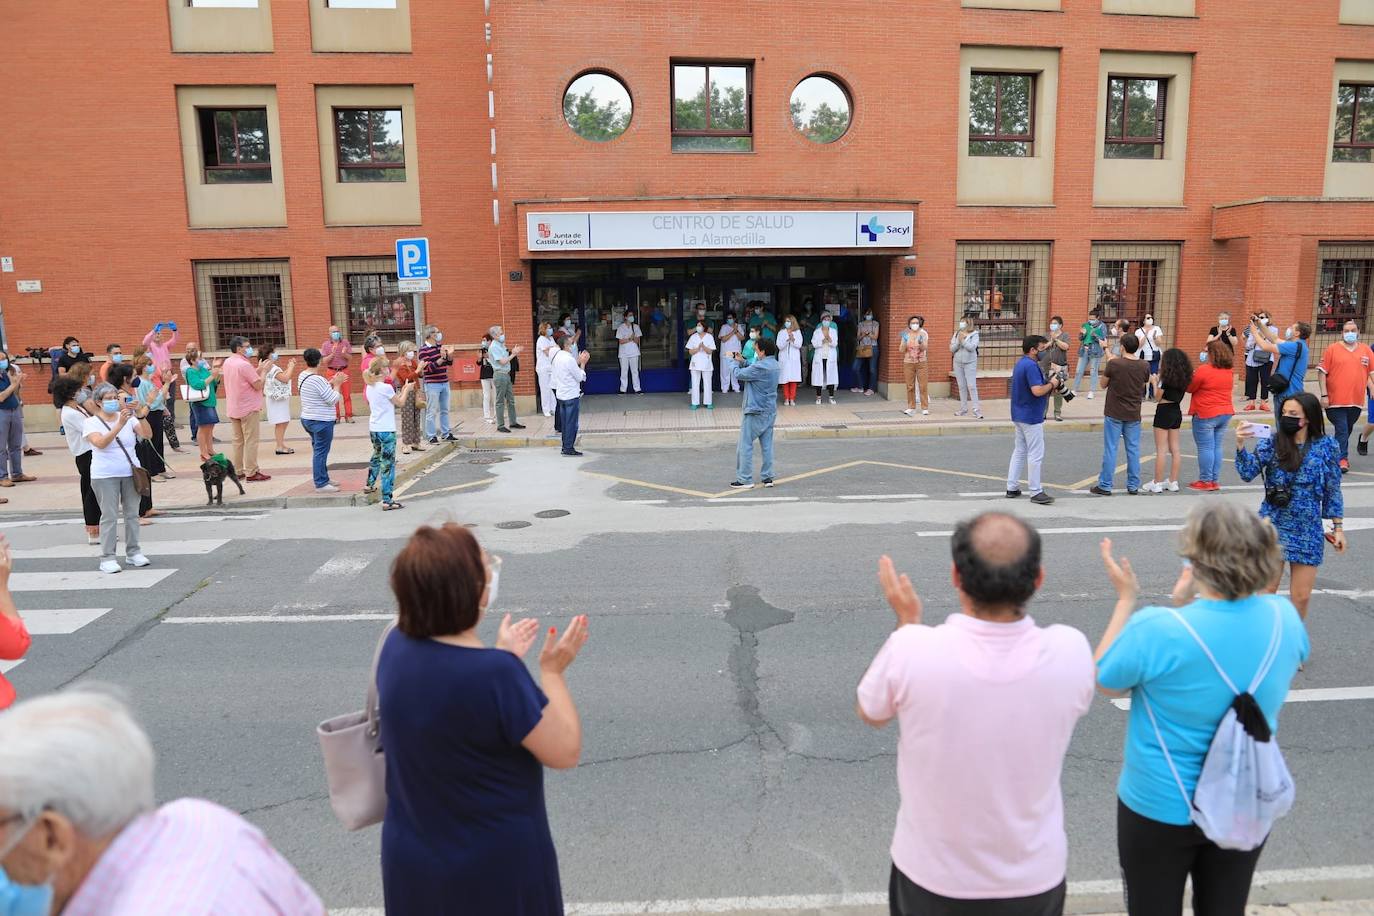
column 809, row 903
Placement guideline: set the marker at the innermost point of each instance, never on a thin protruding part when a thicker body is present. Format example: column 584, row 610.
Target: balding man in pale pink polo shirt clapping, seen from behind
column 986, row 704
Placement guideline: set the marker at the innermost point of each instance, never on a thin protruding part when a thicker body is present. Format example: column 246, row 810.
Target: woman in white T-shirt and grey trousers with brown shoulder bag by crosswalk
column 113, row 435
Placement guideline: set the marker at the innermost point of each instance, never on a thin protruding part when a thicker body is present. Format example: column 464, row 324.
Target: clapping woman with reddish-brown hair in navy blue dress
column 468, row 735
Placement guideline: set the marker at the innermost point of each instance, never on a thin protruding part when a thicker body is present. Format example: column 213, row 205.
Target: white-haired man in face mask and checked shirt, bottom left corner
column 80, row 834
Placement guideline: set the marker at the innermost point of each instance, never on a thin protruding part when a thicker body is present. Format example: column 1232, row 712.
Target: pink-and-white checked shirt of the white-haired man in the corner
column 193, row 859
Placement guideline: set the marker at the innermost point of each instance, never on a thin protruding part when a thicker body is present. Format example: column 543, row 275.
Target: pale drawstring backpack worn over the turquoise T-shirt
column 1246, row 785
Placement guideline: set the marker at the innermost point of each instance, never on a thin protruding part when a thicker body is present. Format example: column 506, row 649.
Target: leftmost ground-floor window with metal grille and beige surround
column 248, row 299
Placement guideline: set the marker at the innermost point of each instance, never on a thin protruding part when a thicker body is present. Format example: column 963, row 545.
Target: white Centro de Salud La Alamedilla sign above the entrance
column 664, row 230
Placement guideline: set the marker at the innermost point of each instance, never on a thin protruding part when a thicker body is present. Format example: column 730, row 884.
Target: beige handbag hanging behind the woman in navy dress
column 355, row 766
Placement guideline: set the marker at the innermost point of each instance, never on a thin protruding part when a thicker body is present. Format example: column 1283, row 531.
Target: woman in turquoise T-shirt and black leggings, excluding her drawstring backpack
column 1232, row 557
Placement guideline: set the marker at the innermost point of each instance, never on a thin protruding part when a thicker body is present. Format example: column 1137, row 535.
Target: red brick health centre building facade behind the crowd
column 244, row 167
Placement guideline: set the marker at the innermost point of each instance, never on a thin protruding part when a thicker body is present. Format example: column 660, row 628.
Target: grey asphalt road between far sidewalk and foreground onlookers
column 722, row 753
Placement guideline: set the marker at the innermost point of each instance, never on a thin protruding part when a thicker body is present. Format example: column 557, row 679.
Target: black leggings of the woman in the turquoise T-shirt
column 1158, row 859
